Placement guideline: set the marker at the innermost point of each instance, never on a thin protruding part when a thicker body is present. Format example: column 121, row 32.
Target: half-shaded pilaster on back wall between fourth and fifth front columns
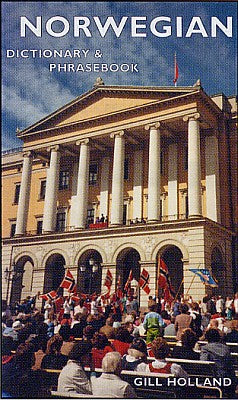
column 138, row 184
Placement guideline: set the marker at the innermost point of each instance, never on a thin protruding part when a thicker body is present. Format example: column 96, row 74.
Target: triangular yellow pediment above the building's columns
column 103, row 101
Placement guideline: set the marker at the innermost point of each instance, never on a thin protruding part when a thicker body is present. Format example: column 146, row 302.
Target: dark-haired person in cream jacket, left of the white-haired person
column 72, row 378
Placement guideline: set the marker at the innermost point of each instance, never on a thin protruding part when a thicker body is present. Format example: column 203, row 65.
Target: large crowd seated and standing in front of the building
column 114, row 336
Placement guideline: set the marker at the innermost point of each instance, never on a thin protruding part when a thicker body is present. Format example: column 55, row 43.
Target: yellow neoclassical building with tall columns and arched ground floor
column 159, row 162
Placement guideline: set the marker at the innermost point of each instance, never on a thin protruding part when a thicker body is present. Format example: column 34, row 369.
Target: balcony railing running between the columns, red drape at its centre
column 130, row 222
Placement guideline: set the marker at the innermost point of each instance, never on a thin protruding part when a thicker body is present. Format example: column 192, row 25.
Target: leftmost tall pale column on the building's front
column 24, row 197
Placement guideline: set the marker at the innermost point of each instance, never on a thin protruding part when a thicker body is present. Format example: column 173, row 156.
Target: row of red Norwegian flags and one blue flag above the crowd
column 163, row 282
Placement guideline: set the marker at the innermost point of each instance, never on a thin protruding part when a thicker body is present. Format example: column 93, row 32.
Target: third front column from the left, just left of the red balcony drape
column 82, row 187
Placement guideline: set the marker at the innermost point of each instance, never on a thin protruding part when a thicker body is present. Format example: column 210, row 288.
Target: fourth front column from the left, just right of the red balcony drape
column 118, row 178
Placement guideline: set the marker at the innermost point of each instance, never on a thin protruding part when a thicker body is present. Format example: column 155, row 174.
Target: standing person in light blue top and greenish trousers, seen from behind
column 153, row 324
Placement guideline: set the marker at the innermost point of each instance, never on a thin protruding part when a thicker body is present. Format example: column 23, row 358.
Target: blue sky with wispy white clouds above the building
column 30, row 91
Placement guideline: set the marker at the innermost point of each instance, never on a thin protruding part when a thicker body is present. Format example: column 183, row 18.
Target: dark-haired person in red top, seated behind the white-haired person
column 101, row 347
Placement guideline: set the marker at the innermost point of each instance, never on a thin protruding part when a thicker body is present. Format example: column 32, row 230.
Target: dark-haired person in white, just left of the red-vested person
column 137, row 354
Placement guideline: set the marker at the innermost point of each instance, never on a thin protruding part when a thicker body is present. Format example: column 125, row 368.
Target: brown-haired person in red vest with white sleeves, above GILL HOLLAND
column 161, row 351
